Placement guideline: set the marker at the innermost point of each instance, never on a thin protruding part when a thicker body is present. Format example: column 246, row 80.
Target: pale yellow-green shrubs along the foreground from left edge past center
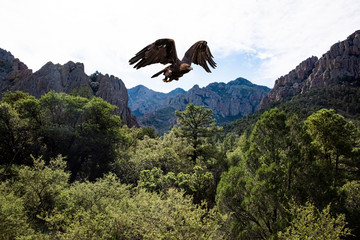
column 40, row 204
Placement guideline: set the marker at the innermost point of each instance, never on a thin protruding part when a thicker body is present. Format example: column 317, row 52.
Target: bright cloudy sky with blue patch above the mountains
column 260, row 40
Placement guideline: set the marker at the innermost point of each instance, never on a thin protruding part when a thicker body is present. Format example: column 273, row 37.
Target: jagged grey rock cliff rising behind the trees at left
column 68, row 78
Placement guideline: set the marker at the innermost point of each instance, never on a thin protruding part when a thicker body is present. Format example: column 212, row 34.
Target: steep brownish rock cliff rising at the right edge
column 340, row 65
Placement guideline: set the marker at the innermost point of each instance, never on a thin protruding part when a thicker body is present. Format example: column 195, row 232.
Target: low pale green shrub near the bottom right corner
column 309, row 223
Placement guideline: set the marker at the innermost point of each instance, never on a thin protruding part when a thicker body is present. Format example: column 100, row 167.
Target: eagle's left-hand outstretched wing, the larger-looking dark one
column 161, row 51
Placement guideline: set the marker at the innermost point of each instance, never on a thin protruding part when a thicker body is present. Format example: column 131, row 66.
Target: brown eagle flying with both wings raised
column 164, row 51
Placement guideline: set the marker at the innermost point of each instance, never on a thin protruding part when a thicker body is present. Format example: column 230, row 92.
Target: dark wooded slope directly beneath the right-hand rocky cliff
column 343, row 98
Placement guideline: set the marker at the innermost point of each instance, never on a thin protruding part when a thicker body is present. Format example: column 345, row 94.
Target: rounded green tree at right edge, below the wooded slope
column 335, row 138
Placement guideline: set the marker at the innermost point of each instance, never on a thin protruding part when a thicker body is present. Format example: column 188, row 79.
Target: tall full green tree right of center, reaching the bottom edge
column 255, row 190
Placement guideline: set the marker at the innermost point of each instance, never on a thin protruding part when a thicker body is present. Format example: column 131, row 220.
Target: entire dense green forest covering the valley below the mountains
column 71, row 170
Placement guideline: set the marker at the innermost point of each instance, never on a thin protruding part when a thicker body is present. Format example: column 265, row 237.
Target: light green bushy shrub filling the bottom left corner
column 32, row 196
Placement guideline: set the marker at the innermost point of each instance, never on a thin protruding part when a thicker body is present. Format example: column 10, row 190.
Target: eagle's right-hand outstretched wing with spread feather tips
column 200, row 54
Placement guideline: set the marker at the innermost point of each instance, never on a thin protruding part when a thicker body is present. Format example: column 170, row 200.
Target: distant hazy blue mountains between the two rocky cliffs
column 228, row 101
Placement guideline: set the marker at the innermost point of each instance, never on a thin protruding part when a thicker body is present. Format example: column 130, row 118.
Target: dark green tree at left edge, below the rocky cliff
column 19, row 125
